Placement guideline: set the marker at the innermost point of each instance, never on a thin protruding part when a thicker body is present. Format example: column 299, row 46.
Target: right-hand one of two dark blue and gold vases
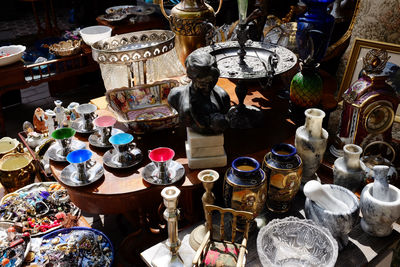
column 283, row 168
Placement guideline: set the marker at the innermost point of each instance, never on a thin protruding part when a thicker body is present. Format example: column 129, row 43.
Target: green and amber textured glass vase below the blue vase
column 306, row 88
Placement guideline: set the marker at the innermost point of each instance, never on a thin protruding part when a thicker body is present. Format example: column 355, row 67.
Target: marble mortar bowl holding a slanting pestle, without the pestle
column 339, row 224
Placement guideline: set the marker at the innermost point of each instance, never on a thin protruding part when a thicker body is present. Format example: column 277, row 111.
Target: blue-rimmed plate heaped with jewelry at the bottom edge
column 75, row 246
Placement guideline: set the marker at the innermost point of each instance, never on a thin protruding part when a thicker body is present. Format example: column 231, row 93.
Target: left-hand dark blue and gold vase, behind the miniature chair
column 245, row 186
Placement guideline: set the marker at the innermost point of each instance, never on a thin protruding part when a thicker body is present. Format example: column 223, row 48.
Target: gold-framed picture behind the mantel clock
column 355, row 62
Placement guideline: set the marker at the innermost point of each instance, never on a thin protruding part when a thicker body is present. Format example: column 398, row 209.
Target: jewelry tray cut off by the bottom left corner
column 14, row 244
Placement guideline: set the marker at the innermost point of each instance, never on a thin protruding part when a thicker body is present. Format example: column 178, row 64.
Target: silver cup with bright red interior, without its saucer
column 161, row 157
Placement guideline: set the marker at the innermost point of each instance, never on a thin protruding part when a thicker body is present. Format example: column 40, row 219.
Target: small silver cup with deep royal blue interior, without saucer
column 80, row 159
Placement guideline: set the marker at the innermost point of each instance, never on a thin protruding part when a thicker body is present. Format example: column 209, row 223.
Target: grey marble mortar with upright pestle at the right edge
column 380, row 204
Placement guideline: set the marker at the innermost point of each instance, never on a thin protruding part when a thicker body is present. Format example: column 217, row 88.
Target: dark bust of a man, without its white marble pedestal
column 201, row 104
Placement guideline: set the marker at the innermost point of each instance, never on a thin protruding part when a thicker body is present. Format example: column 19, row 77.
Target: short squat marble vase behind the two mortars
column 349, row 170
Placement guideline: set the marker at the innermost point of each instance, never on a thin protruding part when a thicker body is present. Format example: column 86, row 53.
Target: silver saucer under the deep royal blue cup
column 69, row 175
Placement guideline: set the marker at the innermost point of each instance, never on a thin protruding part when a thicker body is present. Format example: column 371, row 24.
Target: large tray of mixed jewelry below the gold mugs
column 40, row 207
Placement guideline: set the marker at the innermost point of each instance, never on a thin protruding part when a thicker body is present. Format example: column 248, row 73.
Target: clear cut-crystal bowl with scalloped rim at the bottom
column 296, row 242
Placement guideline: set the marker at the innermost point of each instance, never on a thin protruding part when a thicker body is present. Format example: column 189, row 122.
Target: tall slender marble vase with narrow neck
column 310, row 141
